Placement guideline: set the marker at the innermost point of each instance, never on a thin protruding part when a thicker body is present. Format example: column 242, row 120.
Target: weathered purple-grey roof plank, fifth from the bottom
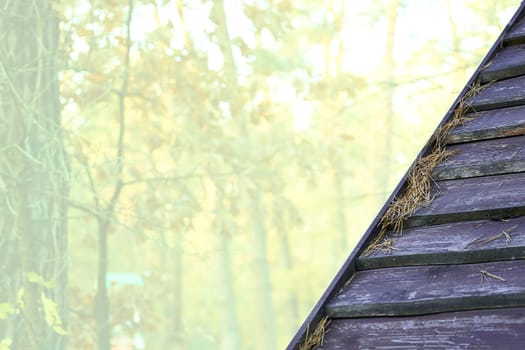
column 483, row 158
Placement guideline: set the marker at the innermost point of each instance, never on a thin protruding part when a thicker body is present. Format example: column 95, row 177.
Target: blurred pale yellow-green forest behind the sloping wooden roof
column 215, row 161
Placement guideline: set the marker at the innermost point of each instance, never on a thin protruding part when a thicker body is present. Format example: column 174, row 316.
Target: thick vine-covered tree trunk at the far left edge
column 34, row 178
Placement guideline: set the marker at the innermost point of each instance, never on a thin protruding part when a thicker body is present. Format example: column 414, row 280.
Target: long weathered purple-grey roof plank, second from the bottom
column 416, row 290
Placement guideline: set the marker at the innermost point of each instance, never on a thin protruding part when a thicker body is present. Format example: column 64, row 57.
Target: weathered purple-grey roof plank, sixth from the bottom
column 490, row 124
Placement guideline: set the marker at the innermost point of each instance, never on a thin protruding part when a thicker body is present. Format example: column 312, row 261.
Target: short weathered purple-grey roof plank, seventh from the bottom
column 503, row 93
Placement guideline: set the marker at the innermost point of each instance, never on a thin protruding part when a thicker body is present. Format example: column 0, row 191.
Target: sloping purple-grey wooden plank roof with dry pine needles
column 455, row 276
